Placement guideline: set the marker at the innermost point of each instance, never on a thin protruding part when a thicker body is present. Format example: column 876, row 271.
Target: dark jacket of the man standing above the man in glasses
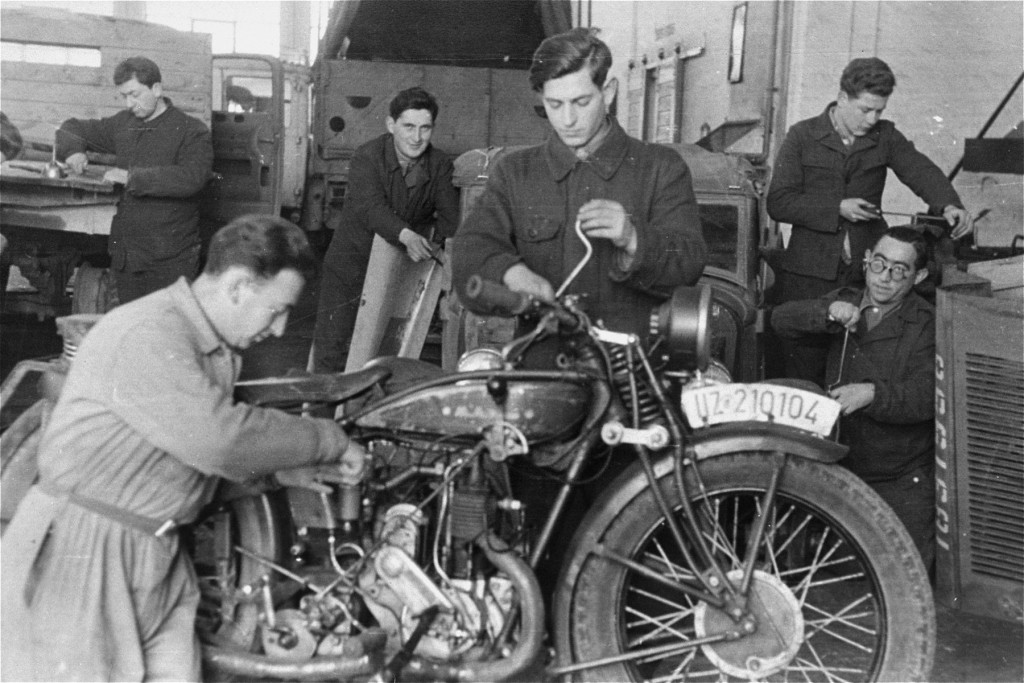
column 815, row 174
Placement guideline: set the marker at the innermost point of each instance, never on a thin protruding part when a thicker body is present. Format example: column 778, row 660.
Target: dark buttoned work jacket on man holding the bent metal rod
column 528, row 215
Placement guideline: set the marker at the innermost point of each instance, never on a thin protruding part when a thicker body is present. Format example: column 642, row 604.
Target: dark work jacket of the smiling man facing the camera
column 377, row 202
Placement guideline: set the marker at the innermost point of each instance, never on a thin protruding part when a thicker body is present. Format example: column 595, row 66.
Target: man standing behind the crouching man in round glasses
column 828, row 182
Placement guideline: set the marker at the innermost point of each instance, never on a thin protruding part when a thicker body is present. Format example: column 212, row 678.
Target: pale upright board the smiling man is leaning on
column 399, row 301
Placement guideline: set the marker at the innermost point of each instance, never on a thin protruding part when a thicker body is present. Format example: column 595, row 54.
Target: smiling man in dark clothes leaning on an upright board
column 400, row 188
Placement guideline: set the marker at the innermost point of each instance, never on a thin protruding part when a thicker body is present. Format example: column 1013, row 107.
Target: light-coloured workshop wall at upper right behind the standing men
column 954, row 62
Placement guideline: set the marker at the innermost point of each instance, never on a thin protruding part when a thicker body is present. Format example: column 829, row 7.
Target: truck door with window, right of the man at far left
column 247, row 126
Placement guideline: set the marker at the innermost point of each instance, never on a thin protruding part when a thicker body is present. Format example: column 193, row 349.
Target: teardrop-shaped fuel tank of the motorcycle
column 543, row 406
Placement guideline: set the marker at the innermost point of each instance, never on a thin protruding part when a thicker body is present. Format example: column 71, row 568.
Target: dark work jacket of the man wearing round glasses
column 897, row 433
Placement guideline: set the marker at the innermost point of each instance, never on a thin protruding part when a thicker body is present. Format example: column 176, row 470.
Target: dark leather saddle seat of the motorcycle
column 320, row 389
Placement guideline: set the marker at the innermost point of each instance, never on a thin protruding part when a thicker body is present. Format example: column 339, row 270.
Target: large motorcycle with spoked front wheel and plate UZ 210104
column 733, row 547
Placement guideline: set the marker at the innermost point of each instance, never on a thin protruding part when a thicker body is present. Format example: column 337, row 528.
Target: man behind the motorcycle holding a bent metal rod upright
column 634, row 201
